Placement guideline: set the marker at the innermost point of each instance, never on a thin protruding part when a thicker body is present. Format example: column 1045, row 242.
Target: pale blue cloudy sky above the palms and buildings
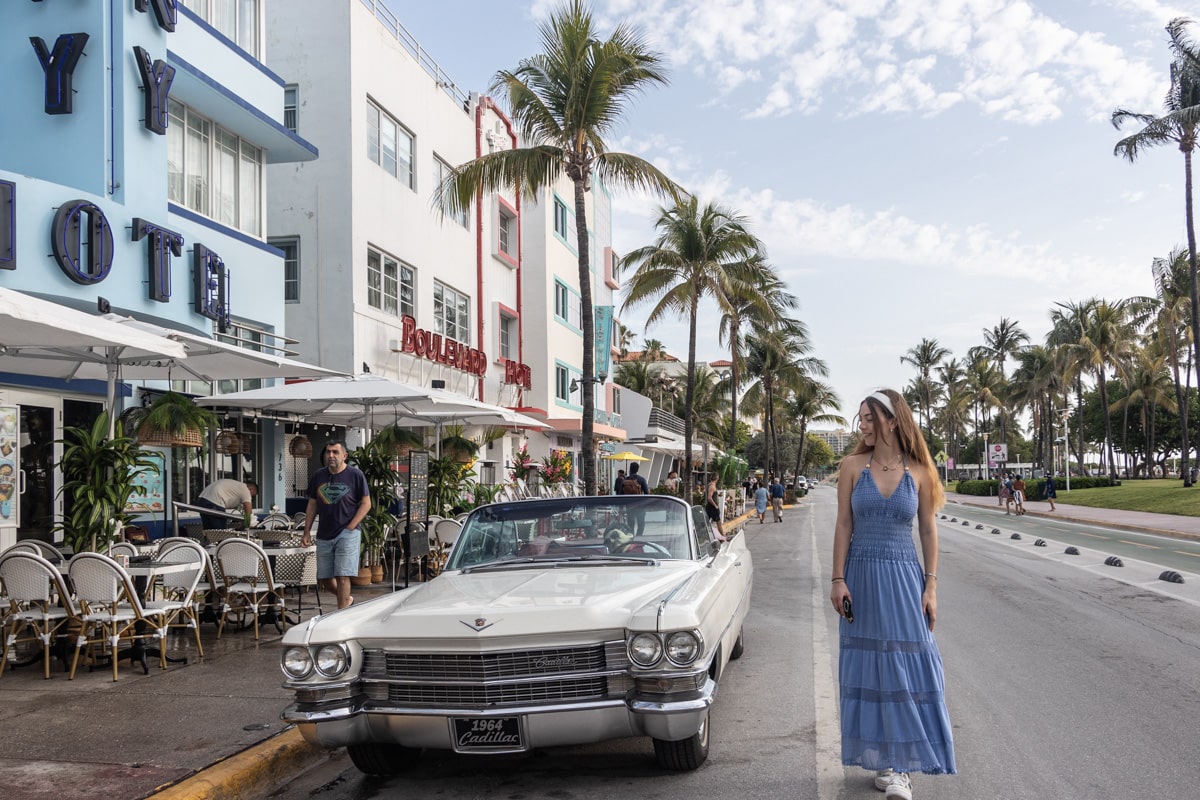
column 916, row 169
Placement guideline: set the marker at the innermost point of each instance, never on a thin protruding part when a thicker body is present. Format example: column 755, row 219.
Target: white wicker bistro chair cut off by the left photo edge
column 40, row 607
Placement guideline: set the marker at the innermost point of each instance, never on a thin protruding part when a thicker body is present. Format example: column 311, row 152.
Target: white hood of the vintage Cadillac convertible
column 513, row 603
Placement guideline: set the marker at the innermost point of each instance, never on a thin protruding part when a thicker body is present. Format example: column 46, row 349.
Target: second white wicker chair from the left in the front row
column 112, row 611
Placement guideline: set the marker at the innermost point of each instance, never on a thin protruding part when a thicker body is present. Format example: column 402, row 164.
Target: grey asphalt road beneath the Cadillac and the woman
column 1066, row 679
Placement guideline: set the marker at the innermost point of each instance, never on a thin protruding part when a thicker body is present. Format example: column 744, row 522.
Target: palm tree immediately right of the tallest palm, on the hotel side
column 700, row 252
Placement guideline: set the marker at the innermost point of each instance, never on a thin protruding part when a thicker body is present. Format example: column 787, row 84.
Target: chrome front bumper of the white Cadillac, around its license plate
column 361, row 721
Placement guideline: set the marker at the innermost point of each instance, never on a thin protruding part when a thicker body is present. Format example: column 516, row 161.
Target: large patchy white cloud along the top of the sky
column 1009, row 58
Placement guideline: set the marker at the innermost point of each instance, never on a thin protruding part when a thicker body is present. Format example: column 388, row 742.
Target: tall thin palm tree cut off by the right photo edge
column 1177, row 127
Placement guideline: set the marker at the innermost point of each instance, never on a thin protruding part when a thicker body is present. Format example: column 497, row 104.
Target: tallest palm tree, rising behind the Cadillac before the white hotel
column 565, row 103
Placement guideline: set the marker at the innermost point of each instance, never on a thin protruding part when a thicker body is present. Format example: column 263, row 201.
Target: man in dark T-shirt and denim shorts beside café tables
column 339, row 497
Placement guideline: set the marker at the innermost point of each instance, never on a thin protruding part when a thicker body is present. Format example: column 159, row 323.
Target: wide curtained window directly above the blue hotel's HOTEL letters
column 214, row 172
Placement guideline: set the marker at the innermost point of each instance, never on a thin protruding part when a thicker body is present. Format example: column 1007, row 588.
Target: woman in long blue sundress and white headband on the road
column 893, row 694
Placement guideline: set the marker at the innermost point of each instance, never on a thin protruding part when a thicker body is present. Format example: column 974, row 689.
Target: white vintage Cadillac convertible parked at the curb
column 559, row 622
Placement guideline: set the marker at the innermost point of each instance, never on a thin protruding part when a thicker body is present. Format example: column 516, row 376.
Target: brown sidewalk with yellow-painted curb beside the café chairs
column 93, row 737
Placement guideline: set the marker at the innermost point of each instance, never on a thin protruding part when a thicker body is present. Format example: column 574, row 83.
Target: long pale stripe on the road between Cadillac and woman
column 831, row 774
